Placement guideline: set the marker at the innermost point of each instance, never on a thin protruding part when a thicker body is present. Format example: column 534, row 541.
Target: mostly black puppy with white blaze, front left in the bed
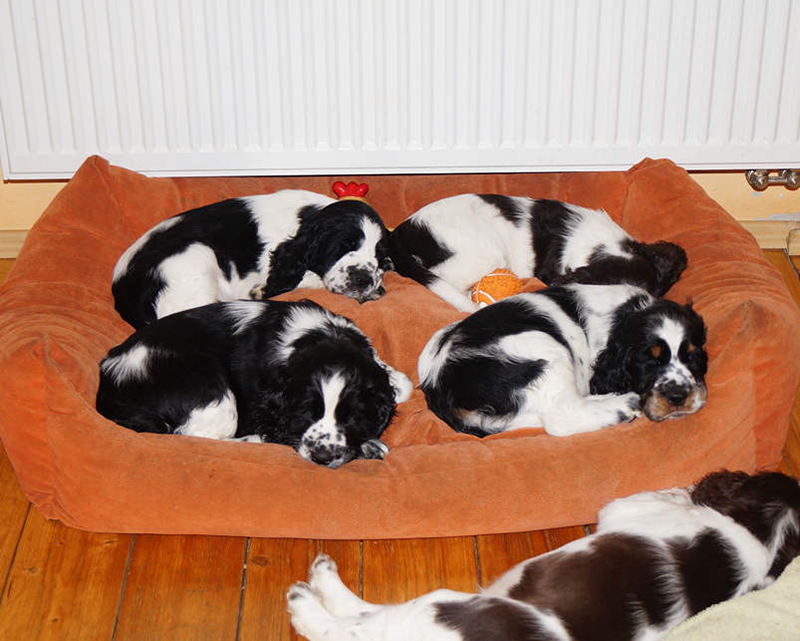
column 288, row 373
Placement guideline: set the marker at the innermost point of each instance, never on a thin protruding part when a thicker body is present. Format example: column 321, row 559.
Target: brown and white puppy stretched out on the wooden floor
column 656, row 559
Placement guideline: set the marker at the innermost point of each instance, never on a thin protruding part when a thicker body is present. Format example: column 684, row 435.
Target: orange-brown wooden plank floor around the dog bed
column 60, row 583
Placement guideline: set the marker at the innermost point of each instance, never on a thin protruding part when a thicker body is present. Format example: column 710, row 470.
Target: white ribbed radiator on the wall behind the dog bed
column 183, row 87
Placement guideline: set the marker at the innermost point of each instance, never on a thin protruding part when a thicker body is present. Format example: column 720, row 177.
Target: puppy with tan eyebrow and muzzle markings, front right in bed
column 571, row 359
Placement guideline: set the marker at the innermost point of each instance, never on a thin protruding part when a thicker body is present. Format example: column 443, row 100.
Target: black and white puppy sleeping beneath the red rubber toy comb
column 252, row 247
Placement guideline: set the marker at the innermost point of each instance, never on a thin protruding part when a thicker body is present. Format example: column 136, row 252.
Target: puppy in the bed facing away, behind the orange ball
column 451, row 243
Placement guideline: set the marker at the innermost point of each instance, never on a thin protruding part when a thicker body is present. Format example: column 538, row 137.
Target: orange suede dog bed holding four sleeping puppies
column 58, row 320
